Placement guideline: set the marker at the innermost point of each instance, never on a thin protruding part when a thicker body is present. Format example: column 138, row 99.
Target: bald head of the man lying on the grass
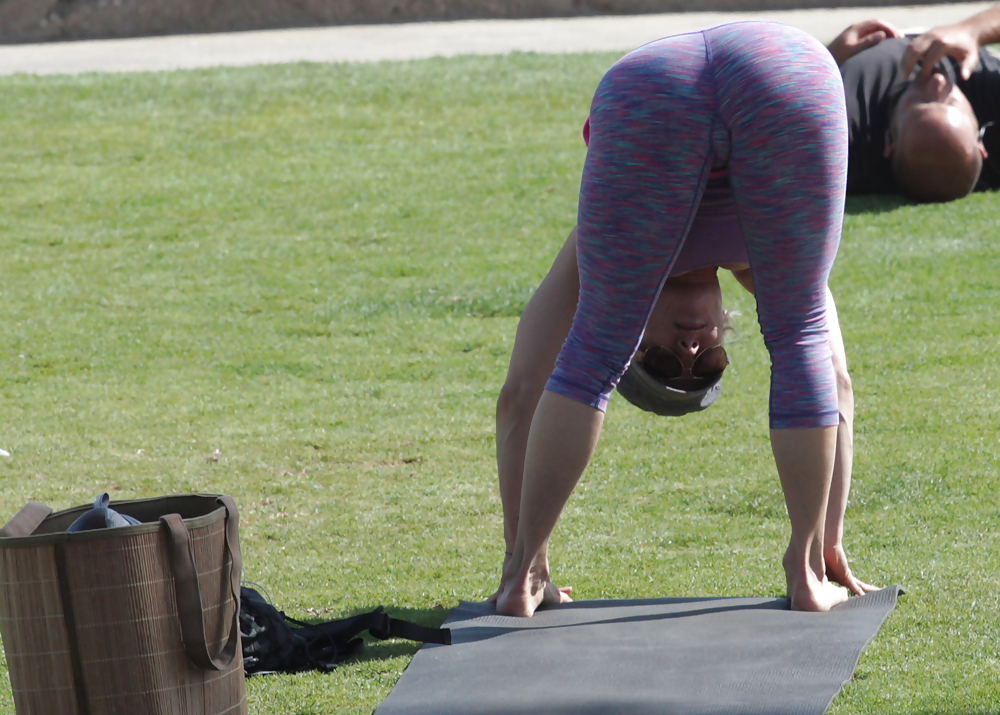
column 937, row 152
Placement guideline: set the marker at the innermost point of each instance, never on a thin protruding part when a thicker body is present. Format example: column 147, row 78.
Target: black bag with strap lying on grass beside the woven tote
column 275, row 643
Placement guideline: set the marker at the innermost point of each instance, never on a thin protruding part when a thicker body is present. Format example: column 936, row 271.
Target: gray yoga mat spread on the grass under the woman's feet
column 676, row 656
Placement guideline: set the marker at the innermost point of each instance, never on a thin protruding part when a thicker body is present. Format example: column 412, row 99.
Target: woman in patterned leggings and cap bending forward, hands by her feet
column 725, row 147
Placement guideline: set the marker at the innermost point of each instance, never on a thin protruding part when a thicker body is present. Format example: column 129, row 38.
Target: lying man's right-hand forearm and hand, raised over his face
column 960, row 41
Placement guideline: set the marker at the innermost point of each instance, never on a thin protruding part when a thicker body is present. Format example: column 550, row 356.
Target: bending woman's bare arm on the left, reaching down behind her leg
column 540, row 334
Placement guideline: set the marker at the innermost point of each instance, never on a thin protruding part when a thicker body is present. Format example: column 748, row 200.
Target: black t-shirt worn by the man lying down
column 873, row 84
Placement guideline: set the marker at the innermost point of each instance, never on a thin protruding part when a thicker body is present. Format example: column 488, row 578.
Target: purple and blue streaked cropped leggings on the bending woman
column 764, row 100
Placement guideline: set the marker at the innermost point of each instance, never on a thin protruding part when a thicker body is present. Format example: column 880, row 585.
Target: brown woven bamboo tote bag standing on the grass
column 136, row 620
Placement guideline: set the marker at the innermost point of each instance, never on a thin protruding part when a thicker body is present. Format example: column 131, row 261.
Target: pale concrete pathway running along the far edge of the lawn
column 373, row 43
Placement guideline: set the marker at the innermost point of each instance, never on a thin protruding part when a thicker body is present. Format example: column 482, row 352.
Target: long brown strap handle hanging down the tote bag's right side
column 189, row 603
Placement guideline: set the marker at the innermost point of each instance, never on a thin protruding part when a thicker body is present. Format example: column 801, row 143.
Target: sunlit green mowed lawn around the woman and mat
column 318, row 272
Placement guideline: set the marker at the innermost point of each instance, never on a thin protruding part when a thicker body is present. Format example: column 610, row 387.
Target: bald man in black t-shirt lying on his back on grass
column 924, row 114
